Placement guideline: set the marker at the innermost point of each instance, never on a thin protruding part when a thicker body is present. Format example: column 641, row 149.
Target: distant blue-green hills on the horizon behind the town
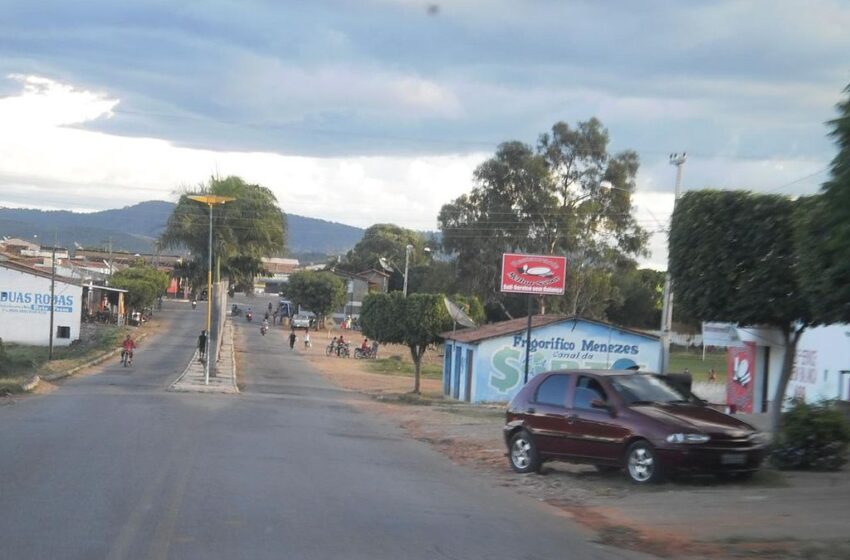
column 135, row 228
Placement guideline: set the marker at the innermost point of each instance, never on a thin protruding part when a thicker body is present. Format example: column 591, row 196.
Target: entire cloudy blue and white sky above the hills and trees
column 379, row 110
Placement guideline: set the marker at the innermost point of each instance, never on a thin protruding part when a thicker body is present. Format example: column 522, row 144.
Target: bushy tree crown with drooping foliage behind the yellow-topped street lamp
column 250, row 227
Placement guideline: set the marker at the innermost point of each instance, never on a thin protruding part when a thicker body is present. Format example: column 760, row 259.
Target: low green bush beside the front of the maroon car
column 812, row 436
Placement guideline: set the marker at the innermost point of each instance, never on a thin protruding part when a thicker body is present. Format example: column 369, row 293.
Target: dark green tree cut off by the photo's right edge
column 825, row 233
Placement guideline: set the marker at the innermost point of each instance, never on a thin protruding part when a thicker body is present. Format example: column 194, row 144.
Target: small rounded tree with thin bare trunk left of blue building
column 415, row 321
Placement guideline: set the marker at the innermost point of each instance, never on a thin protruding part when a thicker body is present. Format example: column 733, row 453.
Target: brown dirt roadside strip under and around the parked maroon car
column 775, row 515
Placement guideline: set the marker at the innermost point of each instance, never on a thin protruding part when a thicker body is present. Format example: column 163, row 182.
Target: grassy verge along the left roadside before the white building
column 20, row 361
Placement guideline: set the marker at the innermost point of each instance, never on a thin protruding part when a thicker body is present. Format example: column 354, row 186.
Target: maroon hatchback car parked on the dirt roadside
column 638, row 422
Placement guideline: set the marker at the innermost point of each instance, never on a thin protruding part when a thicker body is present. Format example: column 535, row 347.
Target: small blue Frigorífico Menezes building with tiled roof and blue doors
column 487, row 364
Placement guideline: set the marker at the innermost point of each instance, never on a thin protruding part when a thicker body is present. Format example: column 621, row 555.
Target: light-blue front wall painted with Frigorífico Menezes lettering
column 569, row 345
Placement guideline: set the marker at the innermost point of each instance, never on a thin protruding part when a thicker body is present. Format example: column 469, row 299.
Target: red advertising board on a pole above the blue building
column 533, row 274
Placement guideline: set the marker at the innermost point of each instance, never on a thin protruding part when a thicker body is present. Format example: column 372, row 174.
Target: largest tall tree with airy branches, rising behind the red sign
column 551, row 200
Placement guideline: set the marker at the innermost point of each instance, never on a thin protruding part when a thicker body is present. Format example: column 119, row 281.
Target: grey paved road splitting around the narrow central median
column 111, row 466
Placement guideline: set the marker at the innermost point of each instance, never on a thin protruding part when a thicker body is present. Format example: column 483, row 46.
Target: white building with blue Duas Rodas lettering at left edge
column 25, row 306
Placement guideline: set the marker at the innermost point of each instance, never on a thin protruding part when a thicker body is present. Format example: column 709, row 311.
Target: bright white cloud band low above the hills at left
column 92, row 170
